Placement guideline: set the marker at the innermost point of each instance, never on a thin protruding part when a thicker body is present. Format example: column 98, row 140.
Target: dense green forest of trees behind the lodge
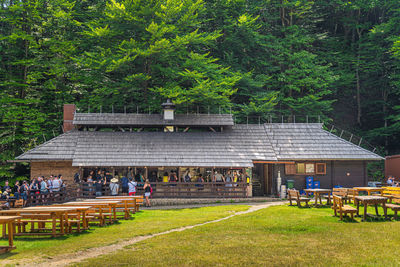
column 334, row 58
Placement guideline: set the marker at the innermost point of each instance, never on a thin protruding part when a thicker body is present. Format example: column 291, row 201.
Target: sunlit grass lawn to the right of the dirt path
column 276, row 236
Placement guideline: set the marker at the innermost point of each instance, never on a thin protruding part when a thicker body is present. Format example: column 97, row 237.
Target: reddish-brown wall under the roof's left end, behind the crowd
column 48, row 168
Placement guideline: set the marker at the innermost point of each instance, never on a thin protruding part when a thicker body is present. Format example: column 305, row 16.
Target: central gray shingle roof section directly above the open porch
column 233, row 148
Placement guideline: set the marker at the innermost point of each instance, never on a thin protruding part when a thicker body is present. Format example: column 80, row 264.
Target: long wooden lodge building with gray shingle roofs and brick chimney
column 155, row 144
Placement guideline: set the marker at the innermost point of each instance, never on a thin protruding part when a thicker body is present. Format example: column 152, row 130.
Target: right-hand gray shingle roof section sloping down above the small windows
column 309, row 141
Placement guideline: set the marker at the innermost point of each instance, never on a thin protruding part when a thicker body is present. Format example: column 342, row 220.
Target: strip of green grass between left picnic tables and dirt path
column 143, row 223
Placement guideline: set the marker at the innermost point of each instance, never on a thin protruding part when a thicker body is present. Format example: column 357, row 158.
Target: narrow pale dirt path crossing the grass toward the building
column 67, row 259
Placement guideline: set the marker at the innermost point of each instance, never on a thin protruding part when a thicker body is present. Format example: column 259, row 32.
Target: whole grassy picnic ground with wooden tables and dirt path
column 271, row 233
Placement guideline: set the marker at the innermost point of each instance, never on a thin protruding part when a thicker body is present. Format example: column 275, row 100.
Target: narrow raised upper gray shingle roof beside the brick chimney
column 129, row 119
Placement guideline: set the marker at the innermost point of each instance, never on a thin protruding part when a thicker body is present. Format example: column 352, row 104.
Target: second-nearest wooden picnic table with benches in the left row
column 40, row 215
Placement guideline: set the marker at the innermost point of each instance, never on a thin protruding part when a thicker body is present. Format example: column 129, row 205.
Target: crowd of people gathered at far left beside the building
column 37, row 186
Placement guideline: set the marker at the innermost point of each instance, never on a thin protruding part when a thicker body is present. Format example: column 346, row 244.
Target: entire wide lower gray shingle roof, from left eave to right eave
column 238, row 146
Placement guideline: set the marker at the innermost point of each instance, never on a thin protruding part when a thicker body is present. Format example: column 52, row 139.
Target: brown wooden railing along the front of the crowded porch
column 174, row 190
